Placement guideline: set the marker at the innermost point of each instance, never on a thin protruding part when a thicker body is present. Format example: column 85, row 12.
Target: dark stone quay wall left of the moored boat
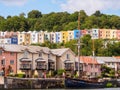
column 34, row 83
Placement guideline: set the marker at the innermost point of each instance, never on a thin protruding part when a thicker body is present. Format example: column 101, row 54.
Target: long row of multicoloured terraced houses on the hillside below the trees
column 27, row 38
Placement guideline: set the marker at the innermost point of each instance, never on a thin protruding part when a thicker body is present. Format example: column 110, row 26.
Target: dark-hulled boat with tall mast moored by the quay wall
column 81, row 83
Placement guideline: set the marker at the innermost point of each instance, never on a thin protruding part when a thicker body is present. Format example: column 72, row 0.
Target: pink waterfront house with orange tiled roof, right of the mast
column 91, row 67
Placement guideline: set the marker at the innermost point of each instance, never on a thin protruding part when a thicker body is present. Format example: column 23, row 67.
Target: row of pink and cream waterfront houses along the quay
column 35, row 60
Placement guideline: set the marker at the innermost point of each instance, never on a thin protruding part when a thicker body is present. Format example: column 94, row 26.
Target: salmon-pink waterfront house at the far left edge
column 7, row 61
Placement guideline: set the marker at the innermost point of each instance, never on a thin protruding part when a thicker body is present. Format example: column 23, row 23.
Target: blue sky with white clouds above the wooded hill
column 15, row 7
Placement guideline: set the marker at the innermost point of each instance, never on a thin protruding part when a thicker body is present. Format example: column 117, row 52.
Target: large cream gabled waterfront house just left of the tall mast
column 65, row 59
